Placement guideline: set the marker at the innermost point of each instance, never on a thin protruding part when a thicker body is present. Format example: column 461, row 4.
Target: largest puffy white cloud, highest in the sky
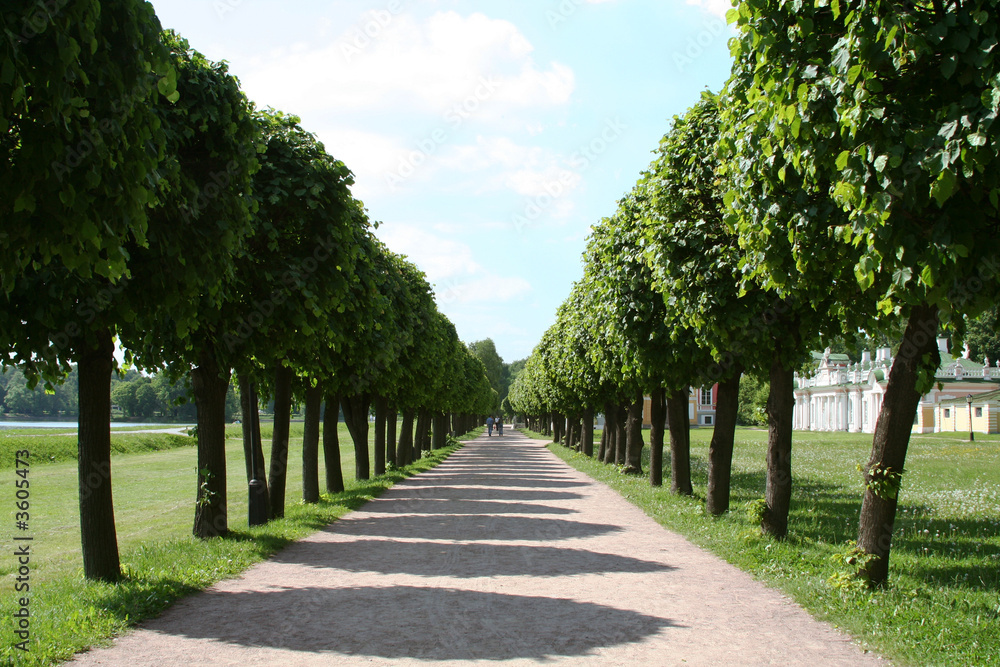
column 428, row 65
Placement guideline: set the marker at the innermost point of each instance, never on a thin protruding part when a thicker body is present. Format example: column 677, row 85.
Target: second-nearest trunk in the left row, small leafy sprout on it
column 210, row 384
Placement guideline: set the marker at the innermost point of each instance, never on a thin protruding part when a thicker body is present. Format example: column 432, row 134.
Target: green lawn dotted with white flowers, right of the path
column 943, row 603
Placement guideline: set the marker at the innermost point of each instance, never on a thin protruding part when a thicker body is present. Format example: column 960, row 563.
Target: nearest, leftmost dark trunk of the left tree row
column 97, row 510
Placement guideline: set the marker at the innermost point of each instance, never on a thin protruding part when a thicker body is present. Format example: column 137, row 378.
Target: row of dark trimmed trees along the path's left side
column 143, row 198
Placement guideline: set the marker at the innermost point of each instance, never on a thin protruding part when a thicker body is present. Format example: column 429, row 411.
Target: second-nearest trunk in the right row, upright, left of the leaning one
column 780, row 410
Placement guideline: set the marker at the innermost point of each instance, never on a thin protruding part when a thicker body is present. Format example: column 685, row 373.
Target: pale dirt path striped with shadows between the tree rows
column 501, row 553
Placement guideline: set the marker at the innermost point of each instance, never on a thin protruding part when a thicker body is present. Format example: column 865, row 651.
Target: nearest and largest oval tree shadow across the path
column 411, row 622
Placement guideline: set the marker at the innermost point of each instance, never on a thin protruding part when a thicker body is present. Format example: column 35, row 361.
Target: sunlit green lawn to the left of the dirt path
column 154, row 512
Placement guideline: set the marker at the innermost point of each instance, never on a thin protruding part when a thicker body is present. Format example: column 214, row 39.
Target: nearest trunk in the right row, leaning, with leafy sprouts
column 891, row 439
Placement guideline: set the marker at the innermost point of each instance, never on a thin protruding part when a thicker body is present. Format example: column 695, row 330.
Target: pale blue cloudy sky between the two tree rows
column 486, row 136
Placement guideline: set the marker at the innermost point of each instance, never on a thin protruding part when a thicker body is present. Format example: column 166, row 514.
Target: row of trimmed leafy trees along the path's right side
column 846, row 178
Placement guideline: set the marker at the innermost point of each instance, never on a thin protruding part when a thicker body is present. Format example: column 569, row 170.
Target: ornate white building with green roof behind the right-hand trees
column 841, row 396
